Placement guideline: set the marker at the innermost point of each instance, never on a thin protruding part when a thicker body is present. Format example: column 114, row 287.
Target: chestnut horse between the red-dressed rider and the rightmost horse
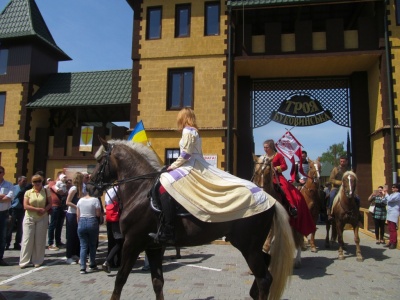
column 311, row 193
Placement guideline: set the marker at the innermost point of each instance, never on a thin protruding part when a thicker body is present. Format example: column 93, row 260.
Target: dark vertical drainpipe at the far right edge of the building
column 390, row 91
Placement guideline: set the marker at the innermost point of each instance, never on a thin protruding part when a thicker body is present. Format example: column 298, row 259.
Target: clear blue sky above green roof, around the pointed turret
column 96, row 34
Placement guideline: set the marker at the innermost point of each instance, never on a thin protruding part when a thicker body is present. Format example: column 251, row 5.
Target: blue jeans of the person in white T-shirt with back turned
column 88, row 231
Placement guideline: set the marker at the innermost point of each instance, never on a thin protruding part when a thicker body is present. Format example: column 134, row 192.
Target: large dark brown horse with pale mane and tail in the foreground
column 134, row 168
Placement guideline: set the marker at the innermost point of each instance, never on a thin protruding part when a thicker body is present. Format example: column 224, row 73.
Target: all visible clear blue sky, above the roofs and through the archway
column 97, row 35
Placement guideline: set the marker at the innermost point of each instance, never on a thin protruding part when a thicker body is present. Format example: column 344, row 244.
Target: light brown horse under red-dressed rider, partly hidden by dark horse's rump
column 263, row 177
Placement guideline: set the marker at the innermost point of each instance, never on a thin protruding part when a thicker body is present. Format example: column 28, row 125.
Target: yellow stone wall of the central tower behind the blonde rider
column 206, row 55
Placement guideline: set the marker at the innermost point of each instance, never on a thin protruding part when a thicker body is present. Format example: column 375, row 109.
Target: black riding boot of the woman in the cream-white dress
column 166, row 234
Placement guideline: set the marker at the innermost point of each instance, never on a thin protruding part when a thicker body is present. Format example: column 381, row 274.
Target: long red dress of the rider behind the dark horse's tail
column 303, row 223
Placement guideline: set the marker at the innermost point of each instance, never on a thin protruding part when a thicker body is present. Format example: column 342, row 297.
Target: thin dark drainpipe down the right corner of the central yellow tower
column 229, row 156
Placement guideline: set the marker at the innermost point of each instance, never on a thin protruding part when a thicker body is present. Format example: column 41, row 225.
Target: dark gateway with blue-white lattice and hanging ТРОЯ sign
column 305, row 102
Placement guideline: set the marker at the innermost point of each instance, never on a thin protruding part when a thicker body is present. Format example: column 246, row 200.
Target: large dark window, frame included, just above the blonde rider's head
column 180, row 88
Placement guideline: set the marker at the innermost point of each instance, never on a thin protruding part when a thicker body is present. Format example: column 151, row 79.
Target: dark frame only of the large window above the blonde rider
column 170, row 88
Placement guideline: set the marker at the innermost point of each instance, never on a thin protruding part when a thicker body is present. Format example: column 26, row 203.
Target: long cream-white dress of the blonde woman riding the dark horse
column 207, row 192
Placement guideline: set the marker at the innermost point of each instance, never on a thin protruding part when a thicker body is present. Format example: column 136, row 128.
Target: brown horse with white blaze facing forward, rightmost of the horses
column 345, row 211
